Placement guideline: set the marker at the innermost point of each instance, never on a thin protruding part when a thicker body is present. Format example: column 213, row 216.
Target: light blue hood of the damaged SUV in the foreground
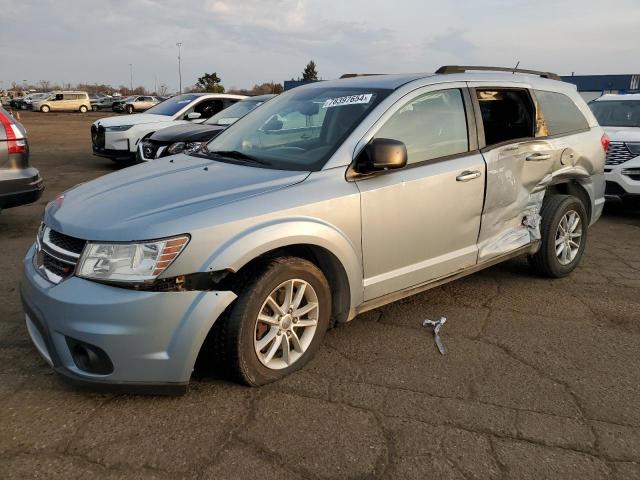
column 157, row 199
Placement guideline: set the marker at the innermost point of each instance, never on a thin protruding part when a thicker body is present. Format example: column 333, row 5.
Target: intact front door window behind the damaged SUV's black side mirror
column 431, row 126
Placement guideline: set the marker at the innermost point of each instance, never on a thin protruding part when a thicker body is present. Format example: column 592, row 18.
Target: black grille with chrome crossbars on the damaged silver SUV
column 57, row 254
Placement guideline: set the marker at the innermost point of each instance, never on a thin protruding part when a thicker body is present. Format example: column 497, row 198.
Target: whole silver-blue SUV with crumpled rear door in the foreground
column 329, row 200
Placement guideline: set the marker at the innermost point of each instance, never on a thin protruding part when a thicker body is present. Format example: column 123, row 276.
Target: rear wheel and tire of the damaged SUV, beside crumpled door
column 564, row 236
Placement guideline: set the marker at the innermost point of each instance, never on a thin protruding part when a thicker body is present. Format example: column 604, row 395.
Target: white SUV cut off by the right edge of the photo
column 620, row 117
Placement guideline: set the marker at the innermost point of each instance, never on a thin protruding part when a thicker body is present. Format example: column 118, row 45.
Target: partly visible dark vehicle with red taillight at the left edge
column 19, row 183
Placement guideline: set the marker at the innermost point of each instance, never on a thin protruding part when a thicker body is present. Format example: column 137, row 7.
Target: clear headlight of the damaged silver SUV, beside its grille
column 129, row 262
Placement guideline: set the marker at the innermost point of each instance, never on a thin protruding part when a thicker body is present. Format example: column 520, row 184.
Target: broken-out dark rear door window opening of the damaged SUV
column 507, row 114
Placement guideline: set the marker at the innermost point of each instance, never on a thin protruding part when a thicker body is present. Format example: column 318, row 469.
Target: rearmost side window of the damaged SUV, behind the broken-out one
column 560, row 114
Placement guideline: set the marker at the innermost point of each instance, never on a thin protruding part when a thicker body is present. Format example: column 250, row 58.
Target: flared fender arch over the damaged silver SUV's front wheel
column 259, row 239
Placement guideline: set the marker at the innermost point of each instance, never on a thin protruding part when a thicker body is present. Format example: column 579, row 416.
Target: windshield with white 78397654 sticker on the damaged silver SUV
column 298, row 130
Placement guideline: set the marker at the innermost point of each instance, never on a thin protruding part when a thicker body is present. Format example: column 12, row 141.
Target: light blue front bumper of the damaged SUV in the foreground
column 152, row 339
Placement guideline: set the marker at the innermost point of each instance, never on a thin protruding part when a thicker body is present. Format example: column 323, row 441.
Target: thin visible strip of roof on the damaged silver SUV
column 395, row 81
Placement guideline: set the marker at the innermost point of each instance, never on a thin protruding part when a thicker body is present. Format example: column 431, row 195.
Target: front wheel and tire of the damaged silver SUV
column 276, row 324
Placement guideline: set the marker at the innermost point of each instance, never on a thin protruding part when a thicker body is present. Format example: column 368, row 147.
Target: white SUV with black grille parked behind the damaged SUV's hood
column 117, row 138
